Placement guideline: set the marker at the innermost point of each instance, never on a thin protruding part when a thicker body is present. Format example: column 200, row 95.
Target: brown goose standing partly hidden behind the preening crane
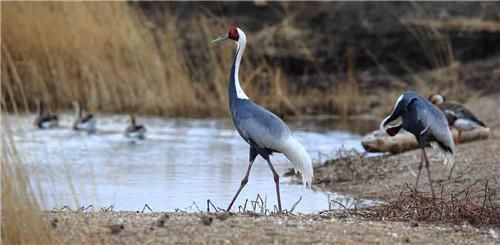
column 457, row 115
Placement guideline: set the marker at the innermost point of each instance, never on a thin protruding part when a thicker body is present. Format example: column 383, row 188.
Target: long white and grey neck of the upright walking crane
column 235, row 90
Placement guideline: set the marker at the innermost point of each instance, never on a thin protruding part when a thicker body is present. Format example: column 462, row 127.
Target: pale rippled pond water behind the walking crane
column 180, row 162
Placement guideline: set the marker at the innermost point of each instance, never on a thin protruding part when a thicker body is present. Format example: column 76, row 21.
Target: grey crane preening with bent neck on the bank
column 427, row 123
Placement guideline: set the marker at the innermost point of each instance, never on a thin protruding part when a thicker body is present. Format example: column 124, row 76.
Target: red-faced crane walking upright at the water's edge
column 265, row 132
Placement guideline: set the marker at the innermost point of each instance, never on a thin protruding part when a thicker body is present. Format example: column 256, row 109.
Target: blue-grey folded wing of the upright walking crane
column 261, row 126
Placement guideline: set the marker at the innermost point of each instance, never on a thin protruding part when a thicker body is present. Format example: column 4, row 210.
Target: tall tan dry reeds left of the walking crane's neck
column 113, row 58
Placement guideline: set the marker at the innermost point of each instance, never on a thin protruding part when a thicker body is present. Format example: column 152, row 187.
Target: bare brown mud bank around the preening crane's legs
column 384, row 177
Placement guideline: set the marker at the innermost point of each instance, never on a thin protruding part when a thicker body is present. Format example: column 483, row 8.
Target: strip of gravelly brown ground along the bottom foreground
column 182, row 228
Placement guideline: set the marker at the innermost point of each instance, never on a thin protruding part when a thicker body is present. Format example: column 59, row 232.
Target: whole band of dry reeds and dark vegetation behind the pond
column 117, row 58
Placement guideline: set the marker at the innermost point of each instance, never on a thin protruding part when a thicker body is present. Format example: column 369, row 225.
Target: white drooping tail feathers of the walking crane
column 300, row 160
